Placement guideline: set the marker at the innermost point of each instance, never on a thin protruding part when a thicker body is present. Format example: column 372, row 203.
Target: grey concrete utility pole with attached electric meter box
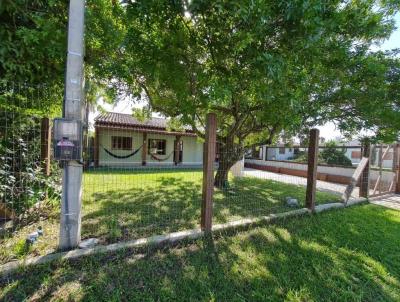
column 68, row 130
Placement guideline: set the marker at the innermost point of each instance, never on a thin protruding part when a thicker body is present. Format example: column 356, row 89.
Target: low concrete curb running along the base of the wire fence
column 10, row 267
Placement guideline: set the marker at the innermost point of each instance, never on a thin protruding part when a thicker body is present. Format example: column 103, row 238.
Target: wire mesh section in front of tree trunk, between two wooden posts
column 257, row 186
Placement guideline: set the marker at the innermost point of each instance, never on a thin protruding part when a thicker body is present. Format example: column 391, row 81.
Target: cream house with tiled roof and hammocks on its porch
column 122, row 140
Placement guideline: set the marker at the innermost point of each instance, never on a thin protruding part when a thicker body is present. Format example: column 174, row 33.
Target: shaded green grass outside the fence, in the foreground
column 343, row 255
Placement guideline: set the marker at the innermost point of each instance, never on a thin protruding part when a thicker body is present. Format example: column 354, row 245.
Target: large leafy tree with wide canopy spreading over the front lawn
column 262, row 66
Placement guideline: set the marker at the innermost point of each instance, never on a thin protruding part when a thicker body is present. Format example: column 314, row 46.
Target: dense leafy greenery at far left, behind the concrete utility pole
column 33, row 37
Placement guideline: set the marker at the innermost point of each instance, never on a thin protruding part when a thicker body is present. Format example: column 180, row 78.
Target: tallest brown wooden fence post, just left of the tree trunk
column 208, row 172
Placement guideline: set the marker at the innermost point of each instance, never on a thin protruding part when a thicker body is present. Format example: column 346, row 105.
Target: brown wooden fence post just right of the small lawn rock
column 312, row 169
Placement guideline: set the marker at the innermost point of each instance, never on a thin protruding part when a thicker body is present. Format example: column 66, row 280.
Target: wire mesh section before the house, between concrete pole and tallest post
column 143, row 179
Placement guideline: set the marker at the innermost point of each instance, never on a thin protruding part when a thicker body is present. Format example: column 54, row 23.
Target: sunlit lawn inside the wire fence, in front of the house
column 126, row 204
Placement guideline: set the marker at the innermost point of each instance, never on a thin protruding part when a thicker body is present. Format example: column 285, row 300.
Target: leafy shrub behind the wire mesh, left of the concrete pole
column 22, row 179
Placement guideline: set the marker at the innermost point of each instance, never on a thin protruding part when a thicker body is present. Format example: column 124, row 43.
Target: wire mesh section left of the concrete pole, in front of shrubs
column 29, row 182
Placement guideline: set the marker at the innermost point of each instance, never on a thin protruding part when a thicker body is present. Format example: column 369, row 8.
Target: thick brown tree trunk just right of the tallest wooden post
column 228, row 156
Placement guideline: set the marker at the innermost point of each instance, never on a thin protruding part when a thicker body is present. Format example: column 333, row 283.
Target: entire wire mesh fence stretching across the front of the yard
column 143, row 178
